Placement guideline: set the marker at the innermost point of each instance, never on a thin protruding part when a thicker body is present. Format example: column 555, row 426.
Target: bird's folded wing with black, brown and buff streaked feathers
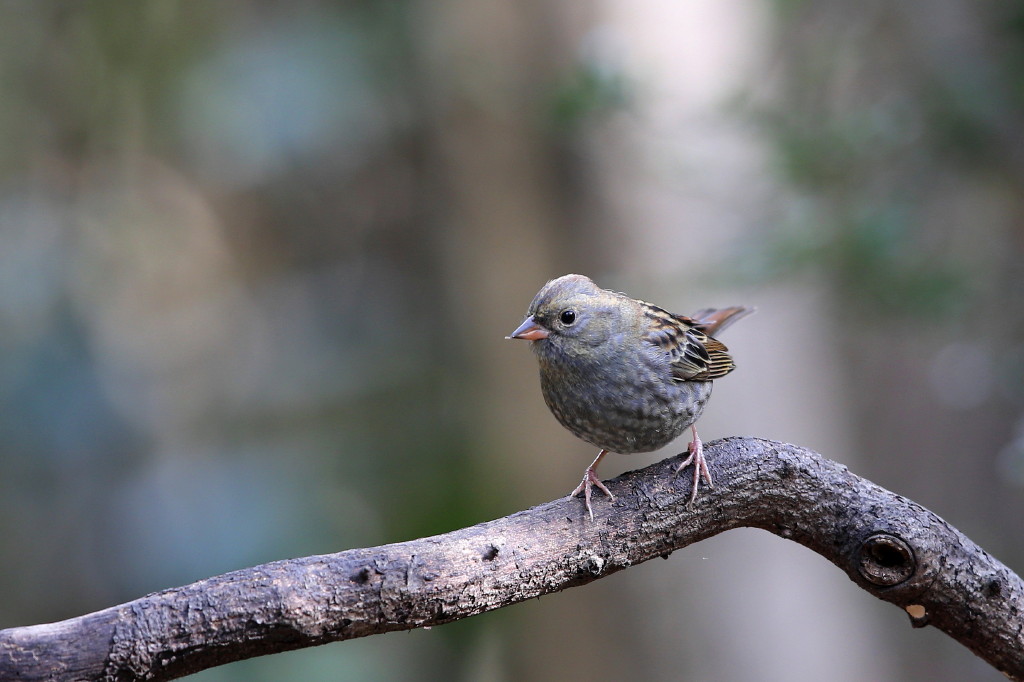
column 693, row 355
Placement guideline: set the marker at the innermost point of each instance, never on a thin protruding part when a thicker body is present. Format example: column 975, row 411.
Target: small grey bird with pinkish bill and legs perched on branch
column 625, row 375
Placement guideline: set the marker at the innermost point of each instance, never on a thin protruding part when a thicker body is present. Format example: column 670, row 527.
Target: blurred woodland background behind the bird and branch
column 258, row 262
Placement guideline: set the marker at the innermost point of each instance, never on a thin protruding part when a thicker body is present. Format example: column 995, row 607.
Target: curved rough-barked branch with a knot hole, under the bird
column 888, row 545
